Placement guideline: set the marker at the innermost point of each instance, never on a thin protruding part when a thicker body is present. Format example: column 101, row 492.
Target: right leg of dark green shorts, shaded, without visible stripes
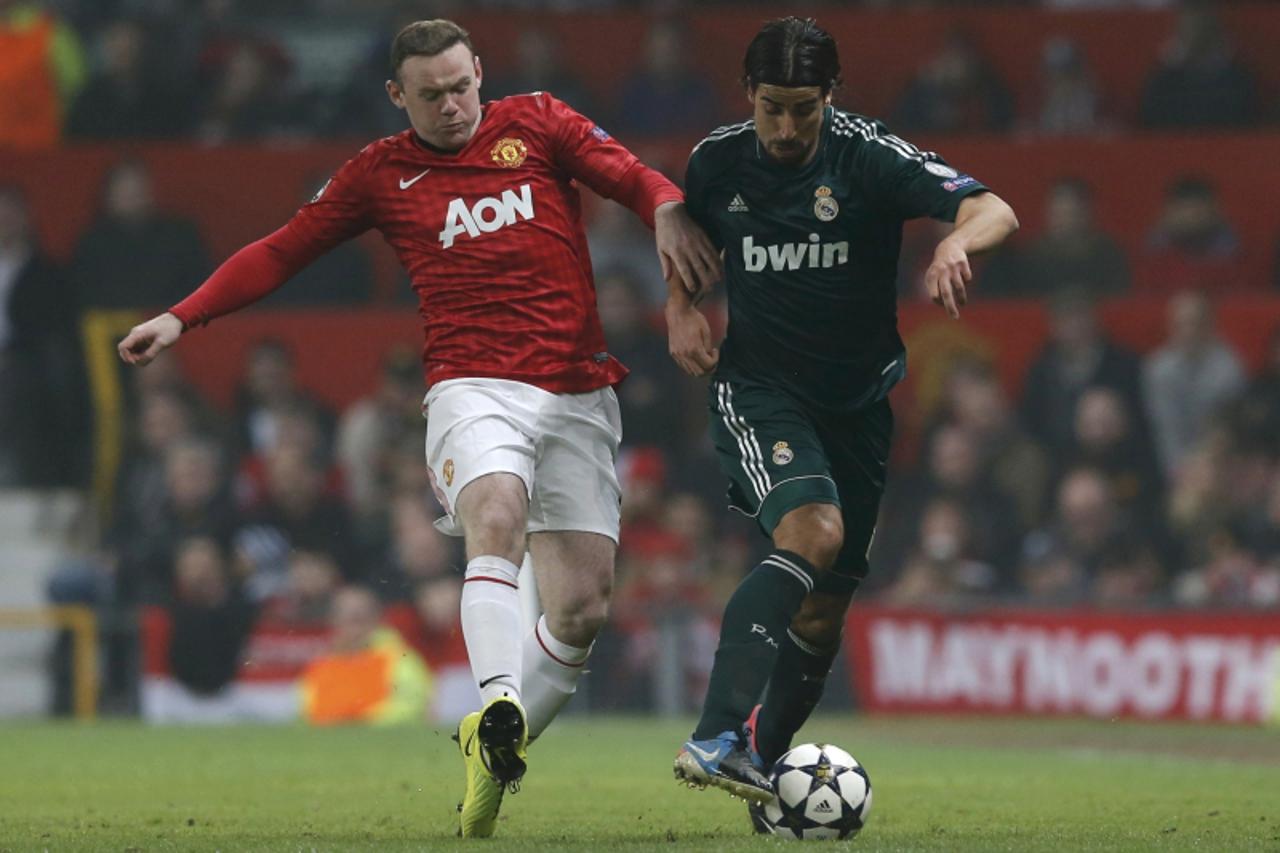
column 858, row 446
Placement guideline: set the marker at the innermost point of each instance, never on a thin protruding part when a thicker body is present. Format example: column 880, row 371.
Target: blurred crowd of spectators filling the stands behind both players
column 282, row 533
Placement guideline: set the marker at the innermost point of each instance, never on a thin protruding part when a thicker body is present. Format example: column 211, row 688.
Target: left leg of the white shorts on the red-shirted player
column 478, row 427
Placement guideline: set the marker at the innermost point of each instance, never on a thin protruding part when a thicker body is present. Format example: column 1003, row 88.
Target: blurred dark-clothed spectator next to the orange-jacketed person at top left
column 127, row 97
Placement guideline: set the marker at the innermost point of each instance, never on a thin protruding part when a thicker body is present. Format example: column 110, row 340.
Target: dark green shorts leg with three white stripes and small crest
column 769, row 448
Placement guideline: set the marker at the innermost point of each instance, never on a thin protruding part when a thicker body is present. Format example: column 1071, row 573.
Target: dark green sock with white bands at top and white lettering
column 755, row 626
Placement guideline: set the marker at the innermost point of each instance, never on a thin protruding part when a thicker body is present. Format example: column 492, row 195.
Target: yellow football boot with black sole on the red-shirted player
column 493, row 743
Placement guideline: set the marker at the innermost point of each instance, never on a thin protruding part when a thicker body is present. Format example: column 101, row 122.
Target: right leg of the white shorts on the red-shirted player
column 577, row 482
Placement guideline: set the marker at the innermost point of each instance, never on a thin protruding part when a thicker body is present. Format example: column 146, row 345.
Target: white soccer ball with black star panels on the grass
column 822, row 793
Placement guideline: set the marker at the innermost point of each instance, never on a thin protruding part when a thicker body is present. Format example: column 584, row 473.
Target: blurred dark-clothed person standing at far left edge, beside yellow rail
column 44, row 423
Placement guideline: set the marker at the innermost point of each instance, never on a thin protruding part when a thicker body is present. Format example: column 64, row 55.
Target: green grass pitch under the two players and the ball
column 605, row 784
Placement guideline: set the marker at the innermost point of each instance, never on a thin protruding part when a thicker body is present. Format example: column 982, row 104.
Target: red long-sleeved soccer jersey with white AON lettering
column 492, row 238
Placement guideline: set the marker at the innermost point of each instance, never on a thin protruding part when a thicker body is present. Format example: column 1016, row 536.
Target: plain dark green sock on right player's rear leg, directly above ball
column 796, row 687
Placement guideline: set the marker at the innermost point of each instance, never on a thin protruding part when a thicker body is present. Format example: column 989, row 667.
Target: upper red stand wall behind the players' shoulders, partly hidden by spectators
column 241, row 194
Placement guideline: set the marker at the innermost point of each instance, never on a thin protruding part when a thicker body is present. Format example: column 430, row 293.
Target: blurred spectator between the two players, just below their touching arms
column 656, row 395
